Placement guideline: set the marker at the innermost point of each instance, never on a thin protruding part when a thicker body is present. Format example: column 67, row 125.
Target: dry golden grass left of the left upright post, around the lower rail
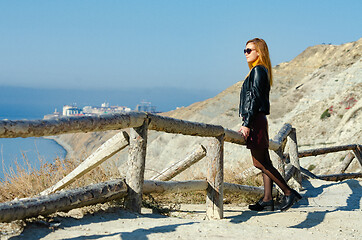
column 26, row 181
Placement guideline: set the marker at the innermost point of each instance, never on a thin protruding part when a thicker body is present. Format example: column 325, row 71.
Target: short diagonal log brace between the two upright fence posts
column 178, row 167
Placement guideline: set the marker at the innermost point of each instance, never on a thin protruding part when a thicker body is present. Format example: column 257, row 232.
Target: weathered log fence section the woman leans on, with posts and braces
column 134, row 184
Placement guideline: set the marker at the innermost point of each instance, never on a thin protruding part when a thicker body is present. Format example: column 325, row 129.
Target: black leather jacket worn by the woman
column 254, row 95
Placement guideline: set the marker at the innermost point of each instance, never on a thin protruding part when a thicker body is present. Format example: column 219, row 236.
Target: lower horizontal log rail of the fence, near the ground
column 101, row 193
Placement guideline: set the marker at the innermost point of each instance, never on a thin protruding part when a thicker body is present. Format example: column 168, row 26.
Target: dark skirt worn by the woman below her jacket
column 258, row 137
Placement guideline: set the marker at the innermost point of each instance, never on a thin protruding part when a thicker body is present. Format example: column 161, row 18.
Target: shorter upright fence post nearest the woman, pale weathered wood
column 215, row 178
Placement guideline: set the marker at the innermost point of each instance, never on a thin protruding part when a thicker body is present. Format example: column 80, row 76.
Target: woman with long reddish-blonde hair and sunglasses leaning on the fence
column 253, row 108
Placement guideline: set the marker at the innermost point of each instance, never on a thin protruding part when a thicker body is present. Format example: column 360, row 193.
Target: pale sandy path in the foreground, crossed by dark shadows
column 328, row 210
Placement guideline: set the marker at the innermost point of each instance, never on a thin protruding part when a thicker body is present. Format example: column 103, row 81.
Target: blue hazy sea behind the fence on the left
column 17, row 103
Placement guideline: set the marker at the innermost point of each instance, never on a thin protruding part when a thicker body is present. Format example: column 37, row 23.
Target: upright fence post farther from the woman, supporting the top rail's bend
column 136, row 167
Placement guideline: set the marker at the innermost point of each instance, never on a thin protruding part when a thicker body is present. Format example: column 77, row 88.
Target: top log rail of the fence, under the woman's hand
column 40, row 128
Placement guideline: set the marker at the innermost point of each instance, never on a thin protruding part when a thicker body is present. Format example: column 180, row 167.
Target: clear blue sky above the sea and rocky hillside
column 191, row 44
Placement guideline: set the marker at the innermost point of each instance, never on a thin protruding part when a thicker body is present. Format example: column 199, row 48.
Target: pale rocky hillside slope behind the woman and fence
column 319, row 93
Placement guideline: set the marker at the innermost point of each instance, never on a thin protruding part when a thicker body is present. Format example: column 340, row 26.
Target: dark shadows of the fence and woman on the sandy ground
column 312, row 219
